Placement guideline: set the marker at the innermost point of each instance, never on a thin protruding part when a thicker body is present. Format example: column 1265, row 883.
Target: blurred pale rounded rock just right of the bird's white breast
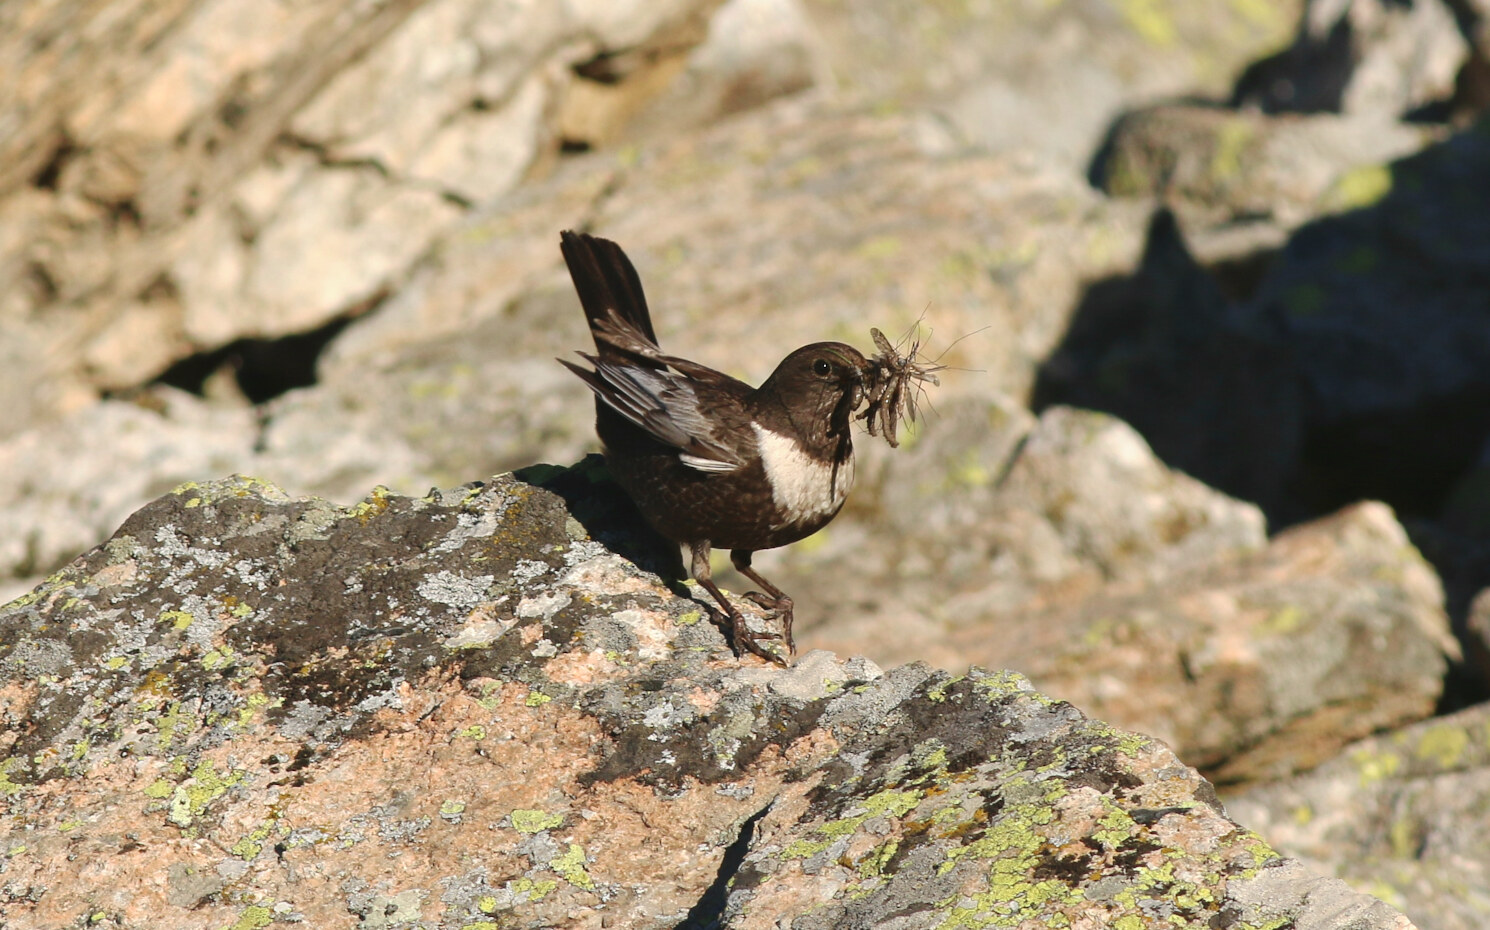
column 990, row 513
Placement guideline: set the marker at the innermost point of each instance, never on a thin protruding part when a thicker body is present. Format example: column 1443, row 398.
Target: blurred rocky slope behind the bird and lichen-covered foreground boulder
column 1217, row 458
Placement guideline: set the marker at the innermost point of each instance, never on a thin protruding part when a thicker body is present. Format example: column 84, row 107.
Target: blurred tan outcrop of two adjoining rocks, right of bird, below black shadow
column 1138, row 594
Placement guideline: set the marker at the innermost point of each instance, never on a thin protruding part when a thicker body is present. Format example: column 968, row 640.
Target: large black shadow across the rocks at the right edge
column 1358, row 370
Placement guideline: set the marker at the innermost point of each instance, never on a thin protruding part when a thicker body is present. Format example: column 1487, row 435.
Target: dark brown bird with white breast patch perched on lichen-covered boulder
column 708, row 460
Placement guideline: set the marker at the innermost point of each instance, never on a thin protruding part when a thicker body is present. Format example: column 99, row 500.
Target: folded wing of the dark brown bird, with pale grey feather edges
column 662, row 403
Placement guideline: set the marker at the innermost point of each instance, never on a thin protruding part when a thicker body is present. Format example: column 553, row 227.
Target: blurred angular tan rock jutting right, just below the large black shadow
column 1251, row 668
